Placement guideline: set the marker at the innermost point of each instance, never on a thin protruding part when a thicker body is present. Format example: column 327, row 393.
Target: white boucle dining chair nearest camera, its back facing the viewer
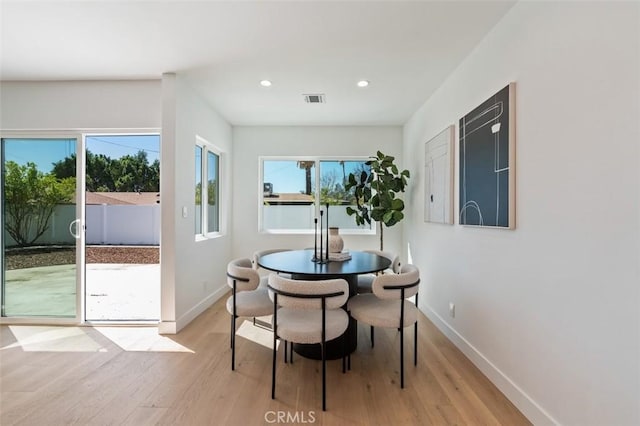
column 308, row 312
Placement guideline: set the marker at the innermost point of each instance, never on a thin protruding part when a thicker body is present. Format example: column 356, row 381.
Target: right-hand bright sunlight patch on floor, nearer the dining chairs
column 141, row 339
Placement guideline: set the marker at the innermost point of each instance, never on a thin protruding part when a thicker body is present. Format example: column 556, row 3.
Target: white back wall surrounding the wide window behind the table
column 252, row 142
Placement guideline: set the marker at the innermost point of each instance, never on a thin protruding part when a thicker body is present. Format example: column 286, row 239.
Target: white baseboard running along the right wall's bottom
column 531, row 410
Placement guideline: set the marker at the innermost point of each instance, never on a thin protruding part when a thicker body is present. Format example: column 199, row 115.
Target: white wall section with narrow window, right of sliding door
column 193, row 273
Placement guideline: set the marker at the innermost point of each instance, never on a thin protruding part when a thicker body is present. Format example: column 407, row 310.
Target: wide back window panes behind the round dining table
column 290, row 200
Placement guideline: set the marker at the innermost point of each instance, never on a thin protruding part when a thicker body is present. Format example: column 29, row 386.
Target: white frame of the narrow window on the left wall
column 210, row 148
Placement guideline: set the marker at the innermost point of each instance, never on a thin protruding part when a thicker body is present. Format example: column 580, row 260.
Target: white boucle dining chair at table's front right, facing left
column 387, row 307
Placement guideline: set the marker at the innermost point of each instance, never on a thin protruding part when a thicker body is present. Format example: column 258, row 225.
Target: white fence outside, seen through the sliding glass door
column 106, row 224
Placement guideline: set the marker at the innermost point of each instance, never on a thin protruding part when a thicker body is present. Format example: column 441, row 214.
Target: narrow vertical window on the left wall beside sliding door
column 207, row 189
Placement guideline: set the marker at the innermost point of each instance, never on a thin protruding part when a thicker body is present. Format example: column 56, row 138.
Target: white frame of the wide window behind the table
column 372, row 228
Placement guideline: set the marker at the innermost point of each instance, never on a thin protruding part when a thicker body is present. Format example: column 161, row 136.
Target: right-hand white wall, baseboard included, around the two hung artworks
column 549, row 311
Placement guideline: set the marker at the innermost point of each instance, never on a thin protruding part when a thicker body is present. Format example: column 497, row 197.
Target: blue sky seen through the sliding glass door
column 45, row 152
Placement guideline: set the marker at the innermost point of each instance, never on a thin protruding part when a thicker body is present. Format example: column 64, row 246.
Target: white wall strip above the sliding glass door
column 71, row 105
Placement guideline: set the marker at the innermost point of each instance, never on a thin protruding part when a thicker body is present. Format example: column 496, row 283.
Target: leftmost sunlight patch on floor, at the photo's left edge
column 52, row 339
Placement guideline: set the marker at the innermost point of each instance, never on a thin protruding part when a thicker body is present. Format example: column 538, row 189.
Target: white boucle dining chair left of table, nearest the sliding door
column 248, row 298
